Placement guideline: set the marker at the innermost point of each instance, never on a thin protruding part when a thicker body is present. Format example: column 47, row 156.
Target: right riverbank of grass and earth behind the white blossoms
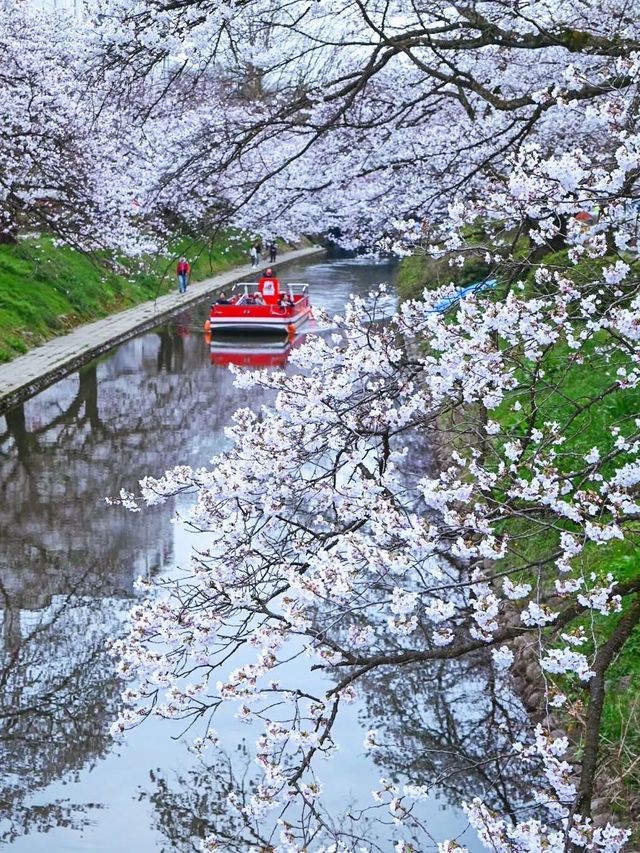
column 571, row 389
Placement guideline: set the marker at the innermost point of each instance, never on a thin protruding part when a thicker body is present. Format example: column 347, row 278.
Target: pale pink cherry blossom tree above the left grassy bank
column 73, row 162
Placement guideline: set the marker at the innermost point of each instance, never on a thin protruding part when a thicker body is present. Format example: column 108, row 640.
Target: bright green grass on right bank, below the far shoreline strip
column 575, row 392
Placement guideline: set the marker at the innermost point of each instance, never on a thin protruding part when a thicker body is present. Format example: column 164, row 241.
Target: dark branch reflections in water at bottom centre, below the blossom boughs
column 449, row 727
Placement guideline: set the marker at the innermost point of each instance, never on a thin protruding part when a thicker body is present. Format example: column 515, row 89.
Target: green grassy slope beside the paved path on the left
column 47, row 289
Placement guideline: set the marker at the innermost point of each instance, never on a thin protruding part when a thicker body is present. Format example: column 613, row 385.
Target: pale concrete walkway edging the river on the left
column 75, row 360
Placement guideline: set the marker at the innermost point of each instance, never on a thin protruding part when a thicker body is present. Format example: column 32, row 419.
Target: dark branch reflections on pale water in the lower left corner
column 57, row 695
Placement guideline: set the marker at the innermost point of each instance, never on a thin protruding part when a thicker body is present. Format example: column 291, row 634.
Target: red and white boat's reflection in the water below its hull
column 252, row 350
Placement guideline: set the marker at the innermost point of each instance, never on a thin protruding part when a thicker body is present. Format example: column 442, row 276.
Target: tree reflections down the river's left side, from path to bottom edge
column 138, row 411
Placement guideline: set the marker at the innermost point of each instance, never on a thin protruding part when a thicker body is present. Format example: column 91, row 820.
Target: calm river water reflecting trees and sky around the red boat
column 67, row 566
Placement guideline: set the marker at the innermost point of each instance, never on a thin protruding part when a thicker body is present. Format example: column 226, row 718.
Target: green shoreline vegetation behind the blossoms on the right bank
column 577, row 392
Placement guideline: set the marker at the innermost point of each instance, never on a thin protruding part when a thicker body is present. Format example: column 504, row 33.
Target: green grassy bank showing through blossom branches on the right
column 578, row 390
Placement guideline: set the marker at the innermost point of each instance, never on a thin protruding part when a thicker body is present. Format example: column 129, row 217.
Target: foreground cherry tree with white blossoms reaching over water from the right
column 339, row 552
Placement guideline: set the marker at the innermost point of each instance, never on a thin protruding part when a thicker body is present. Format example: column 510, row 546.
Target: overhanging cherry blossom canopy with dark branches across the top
column 370, row 118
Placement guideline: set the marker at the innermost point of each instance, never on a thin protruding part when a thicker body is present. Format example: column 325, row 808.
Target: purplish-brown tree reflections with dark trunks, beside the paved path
column 64, row 451
